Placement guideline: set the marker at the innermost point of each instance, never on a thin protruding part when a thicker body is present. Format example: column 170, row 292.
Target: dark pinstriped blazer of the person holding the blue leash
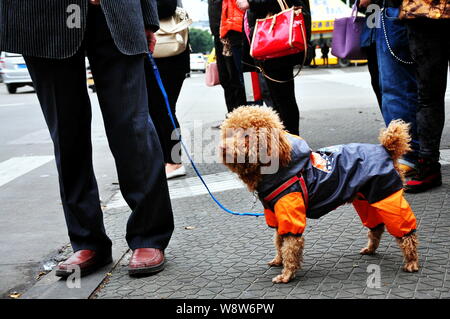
column 55, row 28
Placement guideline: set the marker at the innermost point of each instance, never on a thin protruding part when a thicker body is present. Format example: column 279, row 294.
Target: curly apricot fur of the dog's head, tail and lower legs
column 267, row 131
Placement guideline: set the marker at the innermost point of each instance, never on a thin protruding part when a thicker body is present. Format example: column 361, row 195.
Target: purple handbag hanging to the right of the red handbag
column 346, row 37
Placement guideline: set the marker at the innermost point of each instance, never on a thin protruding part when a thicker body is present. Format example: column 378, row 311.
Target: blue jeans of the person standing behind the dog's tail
column 398, row 83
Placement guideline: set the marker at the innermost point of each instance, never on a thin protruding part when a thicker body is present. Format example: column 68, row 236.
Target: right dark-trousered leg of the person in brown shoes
column 122, row 93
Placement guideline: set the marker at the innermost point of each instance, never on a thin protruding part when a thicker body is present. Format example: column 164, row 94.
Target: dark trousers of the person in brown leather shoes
column 120, row 81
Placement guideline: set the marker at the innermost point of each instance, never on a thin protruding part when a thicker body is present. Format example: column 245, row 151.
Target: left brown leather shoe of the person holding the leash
column 88, row 261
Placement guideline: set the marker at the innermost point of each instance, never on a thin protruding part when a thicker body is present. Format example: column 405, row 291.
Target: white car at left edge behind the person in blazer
column 14, row 71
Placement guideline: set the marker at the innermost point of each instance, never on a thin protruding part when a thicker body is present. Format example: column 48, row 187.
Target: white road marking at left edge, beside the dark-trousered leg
column 18, row 166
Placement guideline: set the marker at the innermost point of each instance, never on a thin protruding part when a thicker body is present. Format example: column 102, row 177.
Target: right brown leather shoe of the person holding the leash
column 146, row 261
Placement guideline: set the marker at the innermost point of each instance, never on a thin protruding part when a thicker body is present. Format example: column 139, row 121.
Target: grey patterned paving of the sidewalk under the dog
column 215, row 255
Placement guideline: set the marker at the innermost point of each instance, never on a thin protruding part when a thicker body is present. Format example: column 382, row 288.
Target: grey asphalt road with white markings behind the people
column 32, row 226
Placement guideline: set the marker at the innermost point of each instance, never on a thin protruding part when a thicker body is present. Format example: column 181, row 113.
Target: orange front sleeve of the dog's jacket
column 290, row 214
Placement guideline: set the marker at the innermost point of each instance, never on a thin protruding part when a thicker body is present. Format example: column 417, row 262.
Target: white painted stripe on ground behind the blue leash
column 189, row 187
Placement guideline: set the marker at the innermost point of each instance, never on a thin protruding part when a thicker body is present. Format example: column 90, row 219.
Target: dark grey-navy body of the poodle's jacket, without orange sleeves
column 347, row 170
